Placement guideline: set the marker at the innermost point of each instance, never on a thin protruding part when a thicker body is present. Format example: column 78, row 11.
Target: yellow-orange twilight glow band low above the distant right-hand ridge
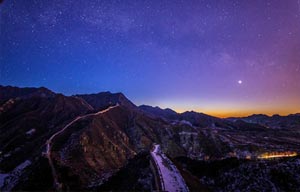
column 230, row 108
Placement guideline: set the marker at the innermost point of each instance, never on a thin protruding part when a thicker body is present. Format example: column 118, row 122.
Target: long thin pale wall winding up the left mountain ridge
column 57, row 185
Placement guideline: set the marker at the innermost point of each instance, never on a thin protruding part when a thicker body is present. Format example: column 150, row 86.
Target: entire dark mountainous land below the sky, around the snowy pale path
column 102, row 139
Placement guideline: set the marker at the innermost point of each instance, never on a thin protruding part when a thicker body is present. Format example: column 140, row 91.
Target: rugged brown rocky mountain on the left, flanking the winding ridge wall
column 88, row 152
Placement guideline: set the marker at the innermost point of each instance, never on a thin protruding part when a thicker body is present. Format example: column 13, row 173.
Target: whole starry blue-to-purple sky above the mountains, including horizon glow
column 221, row 57
